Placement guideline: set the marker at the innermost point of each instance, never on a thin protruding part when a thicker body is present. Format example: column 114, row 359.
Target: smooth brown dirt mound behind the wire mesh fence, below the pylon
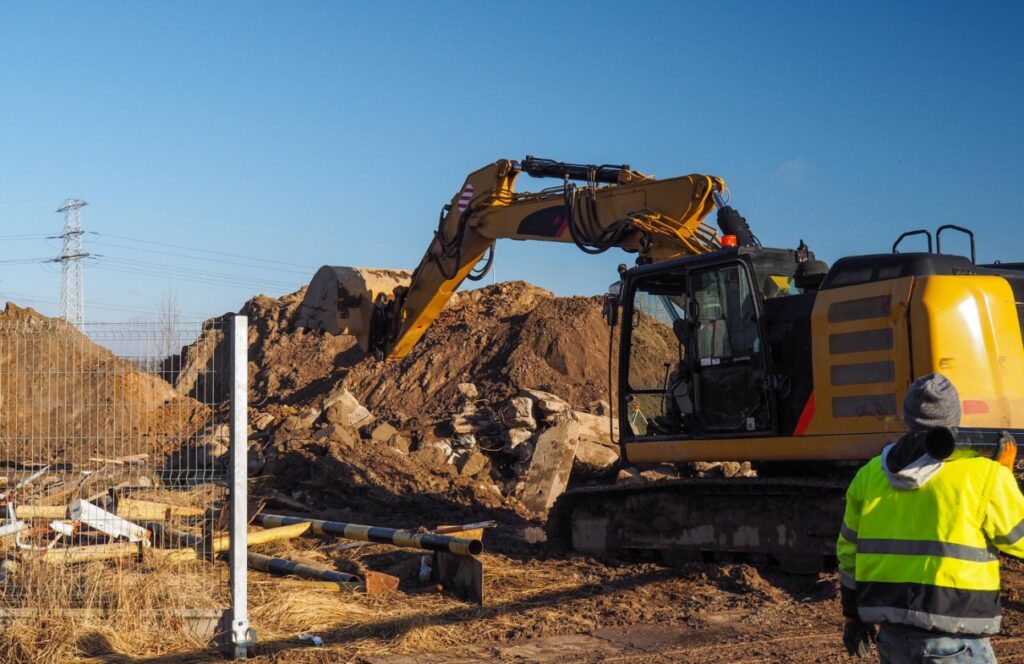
column 65, row 398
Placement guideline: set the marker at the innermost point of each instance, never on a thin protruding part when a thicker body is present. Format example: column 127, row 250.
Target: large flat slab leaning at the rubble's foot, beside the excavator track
column 551, row 465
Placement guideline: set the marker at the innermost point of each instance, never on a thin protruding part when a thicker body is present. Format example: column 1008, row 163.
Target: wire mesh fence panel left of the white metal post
column 114, row 467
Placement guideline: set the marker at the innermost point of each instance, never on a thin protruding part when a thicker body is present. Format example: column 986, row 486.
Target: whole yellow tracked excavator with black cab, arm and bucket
column 729, row 351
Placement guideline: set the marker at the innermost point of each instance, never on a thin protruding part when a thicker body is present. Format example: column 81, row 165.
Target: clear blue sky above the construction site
column 311, row 134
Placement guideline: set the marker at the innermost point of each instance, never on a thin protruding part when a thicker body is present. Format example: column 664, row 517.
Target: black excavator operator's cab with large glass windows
column 694, row 345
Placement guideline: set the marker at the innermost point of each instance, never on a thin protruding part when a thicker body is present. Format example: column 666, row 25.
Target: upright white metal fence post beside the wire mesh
column 242, row 637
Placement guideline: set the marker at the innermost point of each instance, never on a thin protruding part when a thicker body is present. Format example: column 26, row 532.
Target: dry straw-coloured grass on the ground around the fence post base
column 129, row 604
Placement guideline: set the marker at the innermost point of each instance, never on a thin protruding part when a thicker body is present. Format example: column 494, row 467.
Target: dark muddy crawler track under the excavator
column 790, row 521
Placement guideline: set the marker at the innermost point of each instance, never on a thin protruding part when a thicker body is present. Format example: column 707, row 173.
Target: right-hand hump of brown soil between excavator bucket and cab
column 502, row 339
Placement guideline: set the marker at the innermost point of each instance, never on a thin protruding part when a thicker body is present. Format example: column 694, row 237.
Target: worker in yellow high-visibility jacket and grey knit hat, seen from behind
column 918, row 550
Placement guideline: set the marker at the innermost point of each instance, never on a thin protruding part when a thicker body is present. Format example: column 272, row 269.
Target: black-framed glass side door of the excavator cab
column 728, row 358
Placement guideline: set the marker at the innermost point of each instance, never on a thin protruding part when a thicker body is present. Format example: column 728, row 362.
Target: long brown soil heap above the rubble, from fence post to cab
column 502, row 339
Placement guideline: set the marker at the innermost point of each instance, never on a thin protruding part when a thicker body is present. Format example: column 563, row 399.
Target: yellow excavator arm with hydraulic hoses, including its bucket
column 612, row 206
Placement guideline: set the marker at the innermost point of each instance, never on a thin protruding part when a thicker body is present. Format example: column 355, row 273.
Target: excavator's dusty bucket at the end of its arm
column 340, row 301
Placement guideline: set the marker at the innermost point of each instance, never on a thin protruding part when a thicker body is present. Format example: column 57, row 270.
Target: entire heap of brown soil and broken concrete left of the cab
column 499, row 404
